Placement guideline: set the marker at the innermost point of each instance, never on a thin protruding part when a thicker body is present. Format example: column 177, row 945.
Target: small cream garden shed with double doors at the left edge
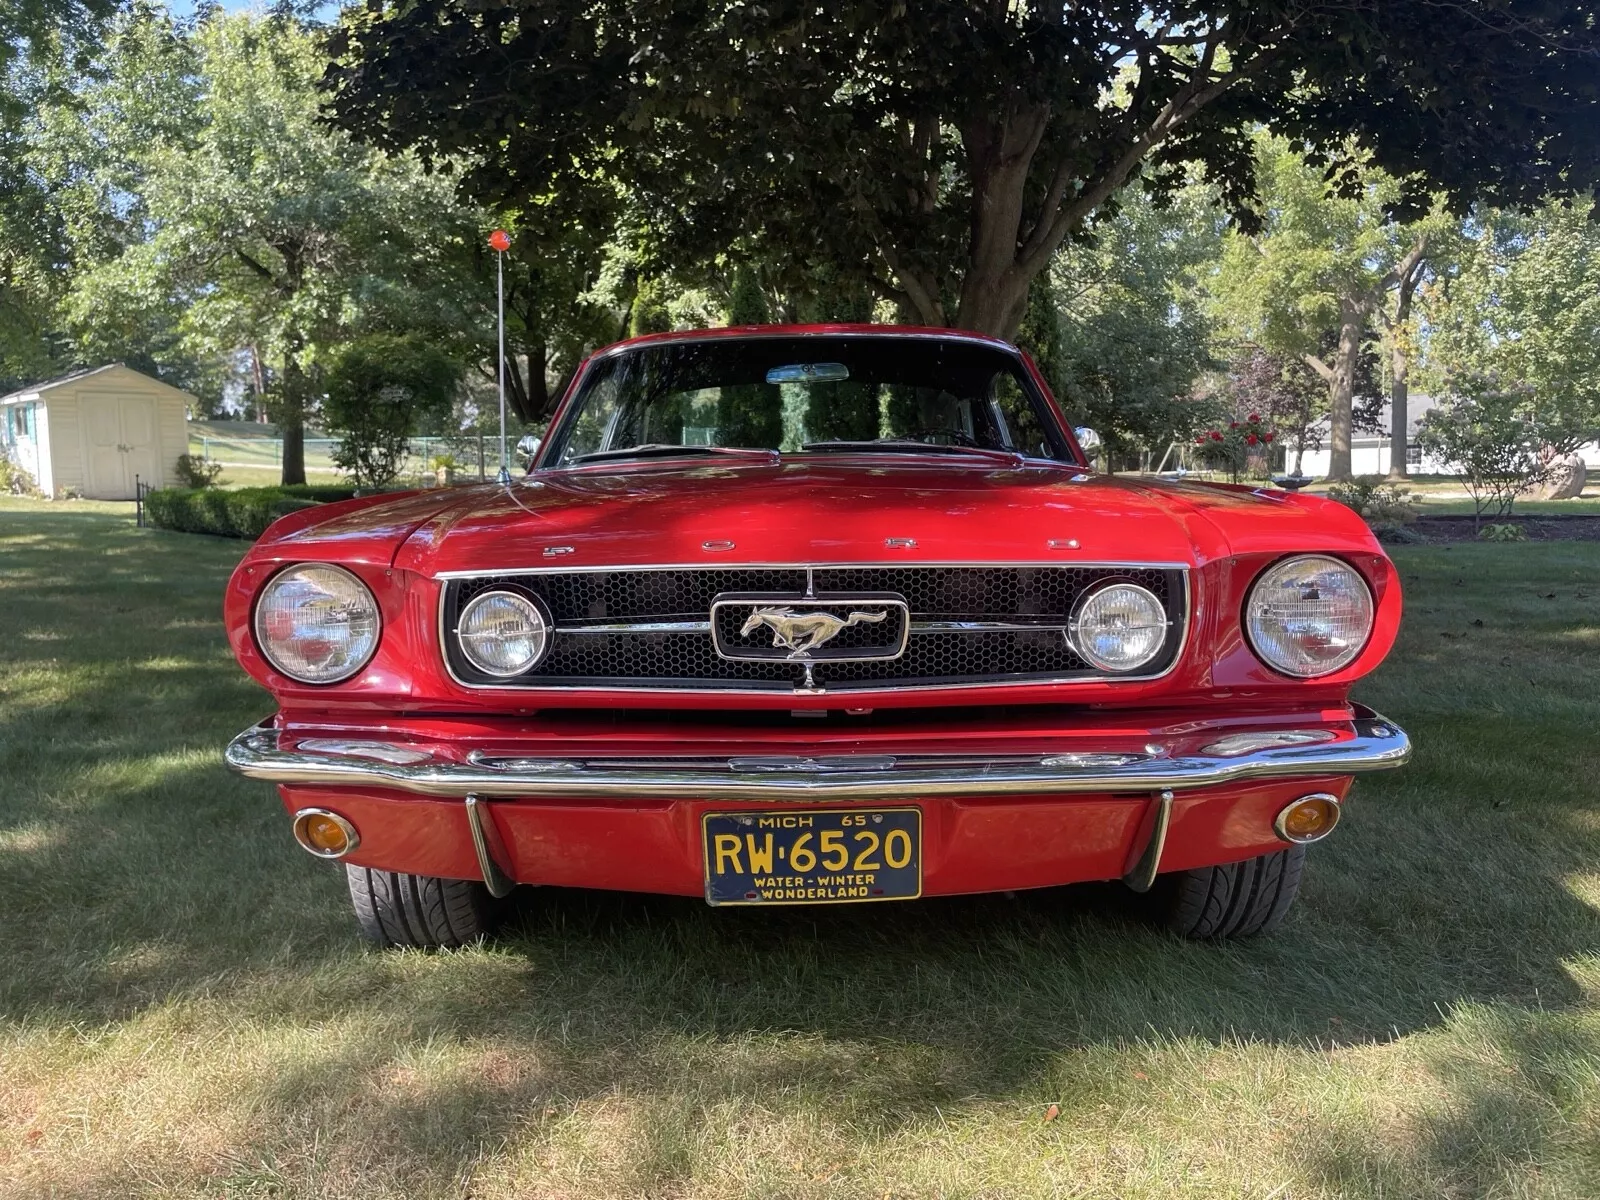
column 97, row 431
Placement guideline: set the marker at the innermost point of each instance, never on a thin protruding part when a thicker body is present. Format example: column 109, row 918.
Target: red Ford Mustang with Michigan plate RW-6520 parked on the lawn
column 807, row 617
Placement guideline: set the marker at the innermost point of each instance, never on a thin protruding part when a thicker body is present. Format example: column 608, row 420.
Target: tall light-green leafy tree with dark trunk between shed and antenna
column 263, row 231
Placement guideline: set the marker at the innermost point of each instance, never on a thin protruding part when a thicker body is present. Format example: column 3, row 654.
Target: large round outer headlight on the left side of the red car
column 318, row 625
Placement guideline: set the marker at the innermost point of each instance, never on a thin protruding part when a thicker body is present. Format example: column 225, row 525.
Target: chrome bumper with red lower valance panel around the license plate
column 1094, row 801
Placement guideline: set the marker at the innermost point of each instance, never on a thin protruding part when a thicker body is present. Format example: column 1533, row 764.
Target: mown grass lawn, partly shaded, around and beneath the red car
column 186, row 1010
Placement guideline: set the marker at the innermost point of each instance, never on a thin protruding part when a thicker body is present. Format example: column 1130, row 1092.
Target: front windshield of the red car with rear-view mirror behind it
column 807, row 396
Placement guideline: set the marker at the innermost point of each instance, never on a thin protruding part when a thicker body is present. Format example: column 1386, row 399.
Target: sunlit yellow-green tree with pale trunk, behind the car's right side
column 1311, row 281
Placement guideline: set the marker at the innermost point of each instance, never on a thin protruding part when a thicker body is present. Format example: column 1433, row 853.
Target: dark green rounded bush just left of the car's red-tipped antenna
column 380, row 391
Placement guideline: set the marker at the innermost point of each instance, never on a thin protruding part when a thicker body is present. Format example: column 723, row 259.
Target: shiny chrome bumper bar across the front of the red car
column 1366, row 743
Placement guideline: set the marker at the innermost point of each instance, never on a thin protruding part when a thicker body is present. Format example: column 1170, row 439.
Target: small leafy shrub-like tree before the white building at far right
column 1489, row 436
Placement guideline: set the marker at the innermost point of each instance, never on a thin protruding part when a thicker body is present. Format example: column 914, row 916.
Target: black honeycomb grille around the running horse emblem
column 650, row 628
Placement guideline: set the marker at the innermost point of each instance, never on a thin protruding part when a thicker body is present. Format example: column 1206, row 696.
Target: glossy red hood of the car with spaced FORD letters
column 809, row 511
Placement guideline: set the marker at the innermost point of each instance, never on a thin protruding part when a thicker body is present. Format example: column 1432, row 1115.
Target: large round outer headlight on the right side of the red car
column 1310, row 617
